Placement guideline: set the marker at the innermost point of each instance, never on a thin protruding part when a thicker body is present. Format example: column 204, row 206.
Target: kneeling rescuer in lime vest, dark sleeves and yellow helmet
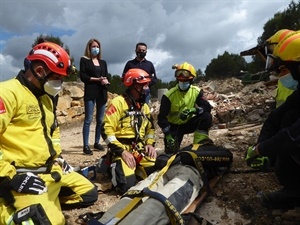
column 184, row 110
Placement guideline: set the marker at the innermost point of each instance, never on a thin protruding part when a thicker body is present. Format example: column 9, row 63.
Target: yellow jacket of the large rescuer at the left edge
column 25, row 127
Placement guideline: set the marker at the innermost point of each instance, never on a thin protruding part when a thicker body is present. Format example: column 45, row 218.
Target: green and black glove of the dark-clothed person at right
column 256, row 161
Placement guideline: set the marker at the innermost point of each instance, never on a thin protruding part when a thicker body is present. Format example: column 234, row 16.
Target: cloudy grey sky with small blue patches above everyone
column 175, row 31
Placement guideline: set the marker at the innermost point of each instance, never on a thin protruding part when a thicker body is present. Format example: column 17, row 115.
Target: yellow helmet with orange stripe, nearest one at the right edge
column 288, row 48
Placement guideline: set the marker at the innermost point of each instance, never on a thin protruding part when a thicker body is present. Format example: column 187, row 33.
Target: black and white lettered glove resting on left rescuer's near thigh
column 27, row 183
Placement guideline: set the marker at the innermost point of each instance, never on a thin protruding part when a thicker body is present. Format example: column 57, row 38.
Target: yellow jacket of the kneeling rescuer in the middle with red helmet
column 119, row 123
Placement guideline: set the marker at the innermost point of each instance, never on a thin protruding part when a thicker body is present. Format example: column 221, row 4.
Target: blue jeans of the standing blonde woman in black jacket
column 89, row 110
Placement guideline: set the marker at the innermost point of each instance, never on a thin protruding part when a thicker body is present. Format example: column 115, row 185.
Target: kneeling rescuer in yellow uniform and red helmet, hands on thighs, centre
column 128, row 131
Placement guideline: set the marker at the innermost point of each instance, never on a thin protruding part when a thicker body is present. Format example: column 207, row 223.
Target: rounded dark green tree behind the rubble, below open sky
column 224, row 66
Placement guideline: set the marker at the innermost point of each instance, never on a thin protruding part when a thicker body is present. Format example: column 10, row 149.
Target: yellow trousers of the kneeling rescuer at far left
column 50, row 200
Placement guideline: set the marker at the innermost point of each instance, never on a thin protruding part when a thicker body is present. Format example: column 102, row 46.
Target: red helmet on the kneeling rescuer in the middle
column 138, row 76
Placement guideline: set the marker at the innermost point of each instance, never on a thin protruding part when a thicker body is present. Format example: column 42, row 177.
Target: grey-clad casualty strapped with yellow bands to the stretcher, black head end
column 163, row 197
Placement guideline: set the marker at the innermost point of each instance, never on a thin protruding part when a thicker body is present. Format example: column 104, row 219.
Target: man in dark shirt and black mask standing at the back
column 141, row 62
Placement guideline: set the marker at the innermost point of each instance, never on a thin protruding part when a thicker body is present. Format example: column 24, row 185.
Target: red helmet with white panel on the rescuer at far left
column 54, row 56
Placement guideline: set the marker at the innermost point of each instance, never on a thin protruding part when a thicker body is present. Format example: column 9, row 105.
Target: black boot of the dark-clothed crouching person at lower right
column 282, row 199
